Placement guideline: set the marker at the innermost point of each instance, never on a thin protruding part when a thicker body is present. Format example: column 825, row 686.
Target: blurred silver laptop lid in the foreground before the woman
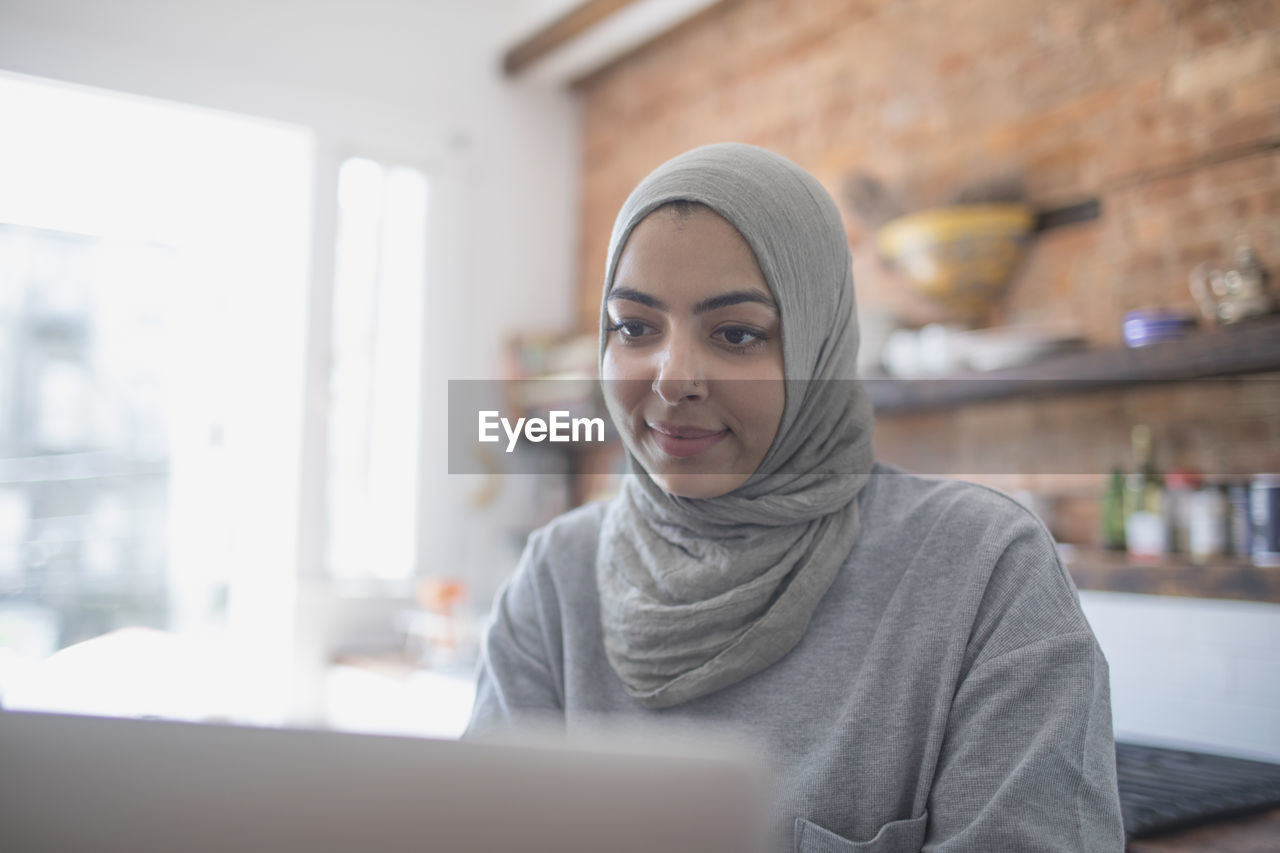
column 75, row 783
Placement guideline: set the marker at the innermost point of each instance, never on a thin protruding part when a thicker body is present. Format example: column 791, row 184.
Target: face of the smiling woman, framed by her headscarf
column 693, row 363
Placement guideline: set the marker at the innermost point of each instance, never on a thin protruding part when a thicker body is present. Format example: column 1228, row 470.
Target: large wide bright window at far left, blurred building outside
column 153, row 316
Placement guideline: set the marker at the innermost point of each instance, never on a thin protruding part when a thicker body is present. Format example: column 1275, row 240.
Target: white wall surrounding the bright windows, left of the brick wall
column 415, row 81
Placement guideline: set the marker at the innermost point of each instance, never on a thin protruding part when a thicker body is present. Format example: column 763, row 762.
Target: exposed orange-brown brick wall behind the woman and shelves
column 1165, row 111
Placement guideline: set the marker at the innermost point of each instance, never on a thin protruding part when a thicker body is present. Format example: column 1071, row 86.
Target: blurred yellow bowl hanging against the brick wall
column 963, row 257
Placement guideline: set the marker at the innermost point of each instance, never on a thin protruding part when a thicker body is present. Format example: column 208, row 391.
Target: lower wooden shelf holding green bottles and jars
column 1174, row 576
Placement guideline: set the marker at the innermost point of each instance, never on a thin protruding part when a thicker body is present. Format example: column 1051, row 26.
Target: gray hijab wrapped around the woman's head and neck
column 698, row 595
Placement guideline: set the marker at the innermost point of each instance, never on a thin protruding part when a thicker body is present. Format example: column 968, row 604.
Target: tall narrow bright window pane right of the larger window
column 377, row 372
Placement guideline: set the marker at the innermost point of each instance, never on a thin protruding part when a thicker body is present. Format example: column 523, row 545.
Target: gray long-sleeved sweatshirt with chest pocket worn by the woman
column 948, row 695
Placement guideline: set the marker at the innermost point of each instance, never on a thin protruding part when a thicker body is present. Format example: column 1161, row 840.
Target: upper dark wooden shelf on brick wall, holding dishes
column 1251, row 348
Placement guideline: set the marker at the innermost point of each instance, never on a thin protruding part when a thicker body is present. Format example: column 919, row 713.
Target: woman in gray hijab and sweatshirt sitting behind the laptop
column 911, row 650
